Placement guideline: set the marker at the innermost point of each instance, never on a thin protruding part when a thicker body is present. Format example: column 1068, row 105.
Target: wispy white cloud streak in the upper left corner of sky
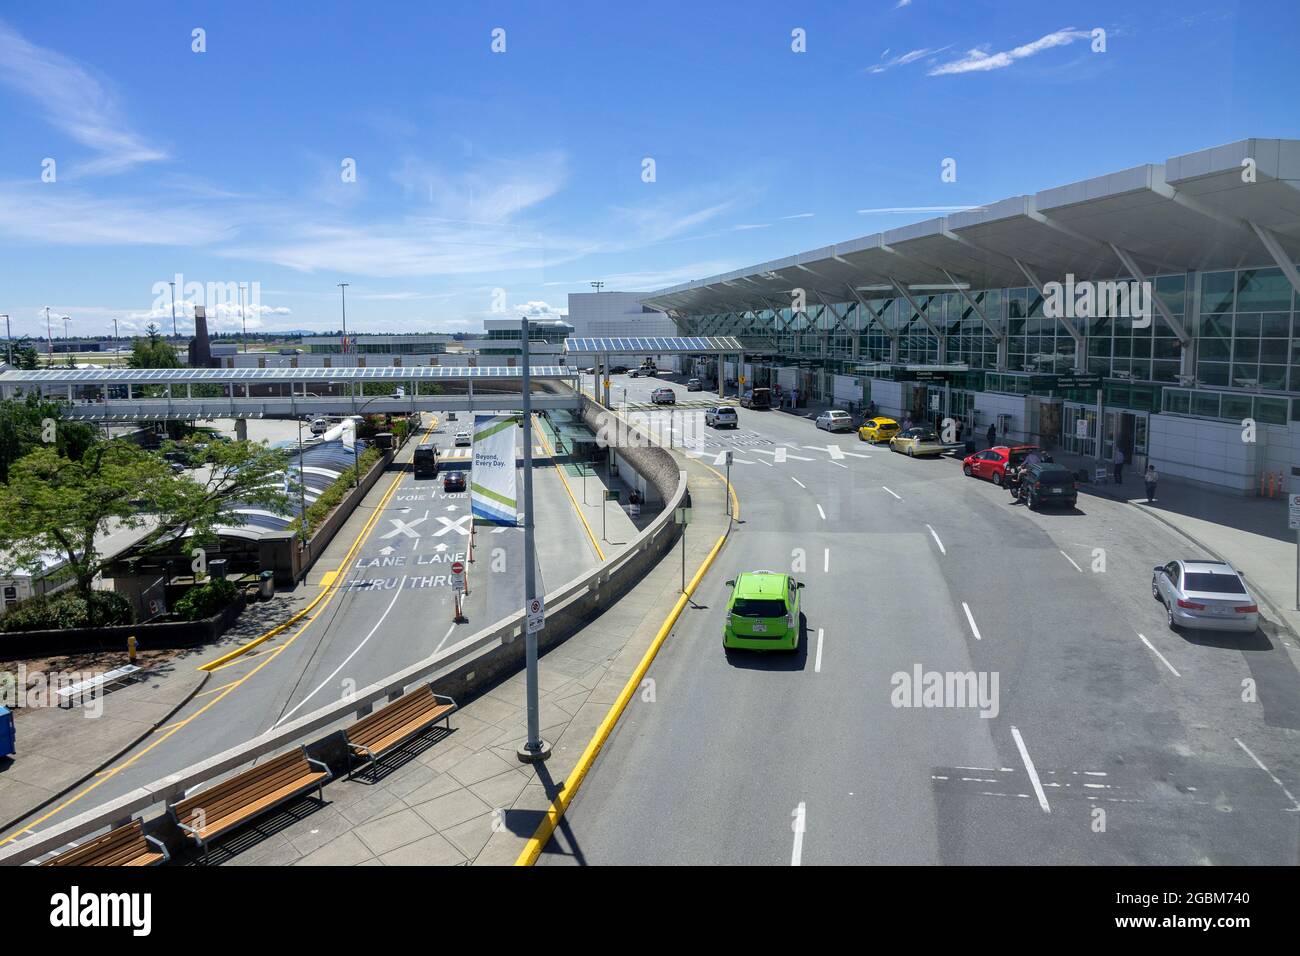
column 75, row 102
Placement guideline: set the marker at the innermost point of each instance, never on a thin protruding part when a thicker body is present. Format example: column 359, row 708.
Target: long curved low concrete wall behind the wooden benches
column 458, row 668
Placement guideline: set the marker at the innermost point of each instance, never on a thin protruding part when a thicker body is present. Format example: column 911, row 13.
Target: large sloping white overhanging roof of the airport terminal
column 1229, row 207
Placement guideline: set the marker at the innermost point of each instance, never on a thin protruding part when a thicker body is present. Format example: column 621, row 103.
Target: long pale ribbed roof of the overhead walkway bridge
column 183, row 377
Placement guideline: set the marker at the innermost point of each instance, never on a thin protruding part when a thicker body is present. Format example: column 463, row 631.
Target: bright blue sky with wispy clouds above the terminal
column 522, row 171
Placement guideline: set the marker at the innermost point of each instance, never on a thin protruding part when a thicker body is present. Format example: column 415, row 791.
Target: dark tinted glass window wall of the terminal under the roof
column 1246, row 331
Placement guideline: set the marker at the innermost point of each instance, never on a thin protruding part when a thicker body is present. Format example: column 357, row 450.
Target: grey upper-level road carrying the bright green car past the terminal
column 1110, row 739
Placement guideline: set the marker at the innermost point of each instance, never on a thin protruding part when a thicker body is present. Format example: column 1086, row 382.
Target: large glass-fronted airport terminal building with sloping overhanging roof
column 990, row 317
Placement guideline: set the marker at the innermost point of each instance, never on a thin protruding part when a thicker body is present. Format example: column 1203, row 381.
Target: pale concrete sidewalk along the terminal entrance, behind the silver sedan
column 1249, row 533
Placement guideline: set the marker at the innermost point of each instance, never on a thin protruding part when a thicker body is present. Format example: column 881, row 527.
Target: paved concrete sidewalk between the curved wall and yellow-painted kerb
column 463, row 798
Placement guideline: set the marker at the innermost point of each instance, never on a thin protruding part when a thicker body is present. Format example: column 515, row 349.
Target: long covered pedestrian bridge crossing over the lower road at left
column 144, row 395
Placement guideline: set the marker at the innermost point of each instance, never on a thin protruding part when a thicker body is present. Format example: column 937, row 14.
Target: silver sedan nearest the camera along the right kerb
column 1204, row 595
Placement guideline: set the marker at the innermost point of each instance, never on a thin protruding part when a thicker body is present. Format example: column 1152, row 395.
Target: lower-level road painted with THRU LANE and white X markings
column 393, row 609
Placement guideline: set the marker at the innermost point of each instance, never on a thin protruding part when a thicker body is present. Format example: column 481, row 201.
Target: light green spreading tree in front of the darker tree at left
column 55, row 505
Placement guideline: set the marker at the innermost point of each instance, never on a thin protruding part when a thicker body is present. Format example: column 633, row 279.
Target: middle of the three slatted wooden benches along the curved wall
column 231, row 803
